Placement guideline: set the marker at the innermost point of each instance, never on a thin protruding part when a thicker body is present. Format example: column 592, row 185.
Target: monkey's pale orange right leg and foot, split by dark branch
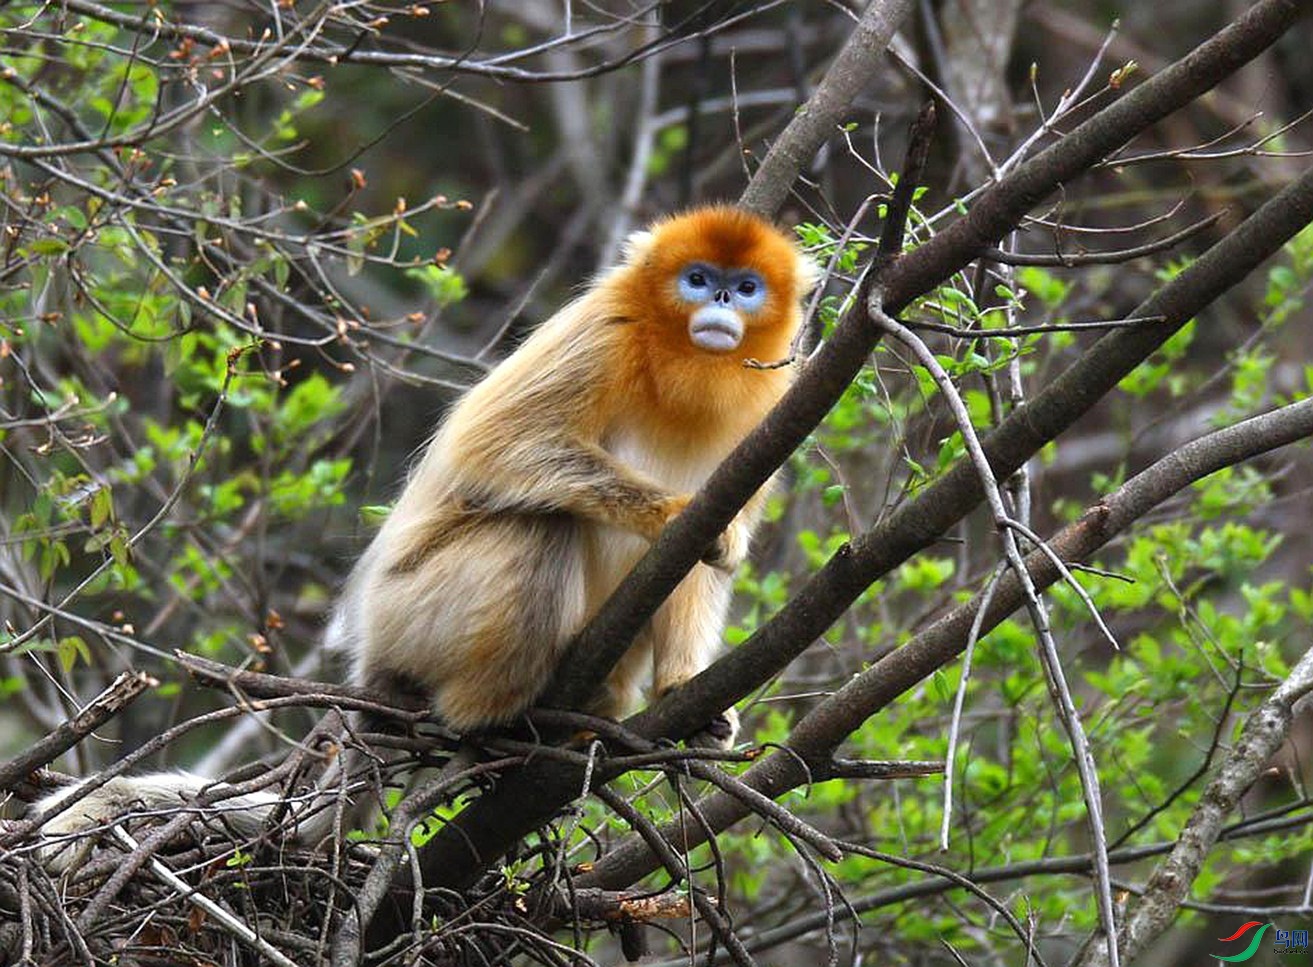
column 686, row 638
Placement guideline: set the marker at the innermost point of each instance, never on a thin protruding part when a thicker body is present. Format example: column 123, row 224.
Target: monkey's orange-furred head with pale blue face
column 718, row 282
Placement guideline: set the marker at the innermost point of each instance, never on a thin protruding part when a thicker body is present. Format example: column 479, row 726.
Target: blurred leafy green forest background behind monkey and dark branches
column 241, row 281
